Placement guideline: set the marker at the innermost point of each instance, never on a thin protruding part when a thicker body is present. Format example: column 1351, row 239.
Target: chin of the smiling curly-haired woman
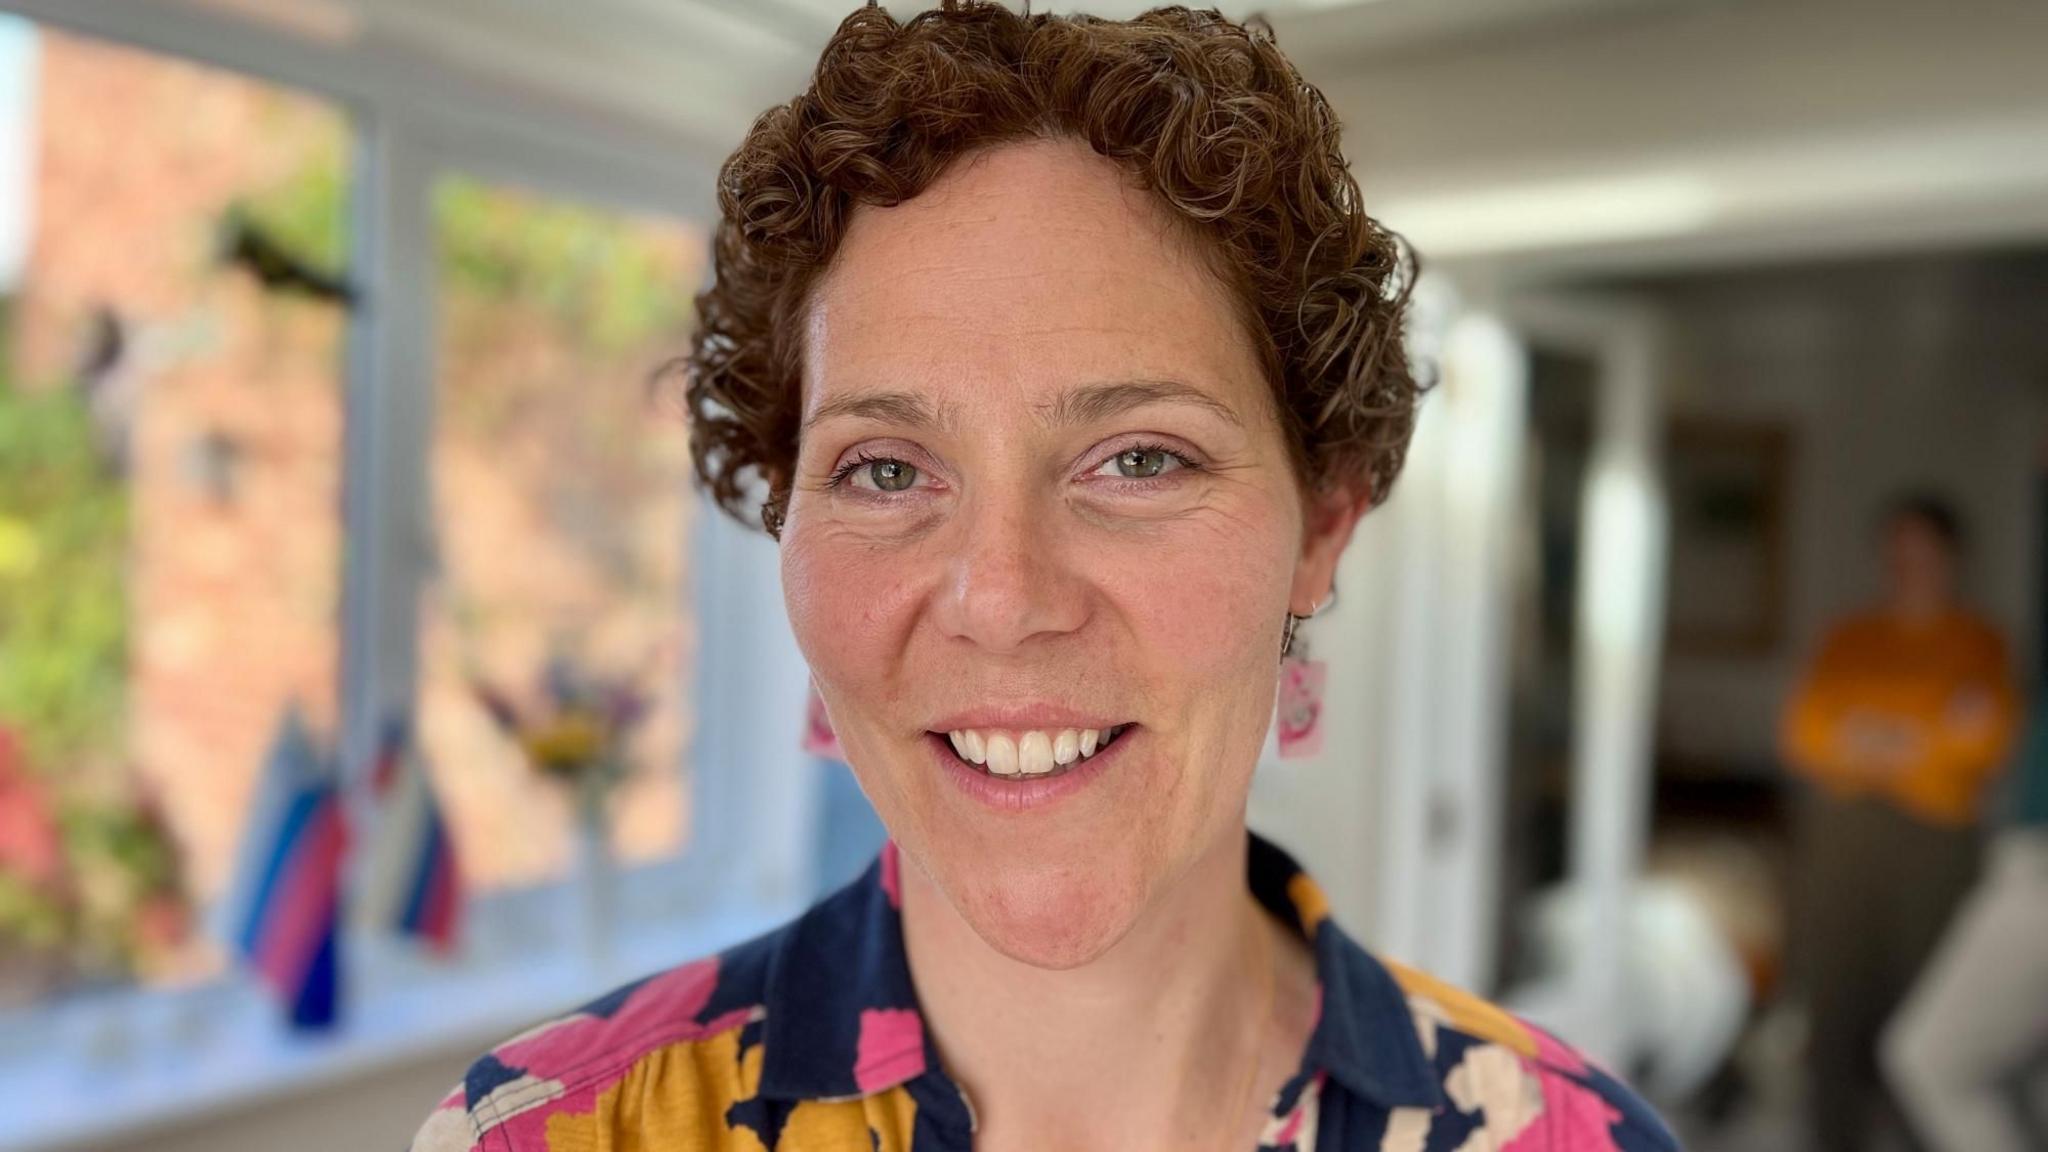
column 1048, row 917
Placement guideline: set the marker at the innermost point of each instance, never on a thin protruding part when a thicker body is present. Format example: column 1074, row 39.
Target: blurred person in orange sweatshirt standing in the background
column 1900, row 725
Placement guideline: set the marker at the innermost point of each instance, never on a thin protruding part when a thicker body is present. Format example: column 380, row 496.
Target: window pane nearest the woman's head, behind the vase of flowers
column 562, row 507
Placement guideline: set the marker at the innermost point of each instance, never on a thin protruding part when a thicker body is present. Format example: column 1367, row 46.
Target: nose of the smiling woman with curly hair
column 1011, row 579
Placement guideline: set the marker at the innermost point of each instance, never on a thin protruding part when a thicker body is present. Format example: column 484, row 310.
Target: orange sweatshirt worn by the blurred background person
column 1920, row 714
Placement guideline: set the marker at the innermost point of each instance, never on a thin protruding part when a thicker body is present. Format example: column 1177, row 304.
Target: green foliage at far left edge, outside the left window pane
column 65, row 634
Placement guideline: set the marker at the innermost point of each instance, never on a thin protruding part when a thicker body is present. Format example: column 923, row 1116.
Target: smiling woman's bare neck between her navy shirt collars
column 1148, row 1046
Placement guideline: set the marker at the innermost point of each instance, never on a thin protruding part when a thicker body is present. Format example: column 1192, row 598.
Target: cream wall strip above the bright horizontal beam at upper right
column 1701, row 77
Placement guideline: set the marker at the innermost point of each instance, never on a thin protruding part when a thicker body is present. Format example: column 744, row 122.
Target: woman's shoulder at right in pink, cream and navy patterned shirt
column 1517, row 1083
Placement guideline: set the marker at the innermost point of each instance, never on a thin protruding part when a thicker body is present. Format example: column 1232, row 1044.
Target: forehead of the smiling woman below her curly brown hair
column 1035, row 265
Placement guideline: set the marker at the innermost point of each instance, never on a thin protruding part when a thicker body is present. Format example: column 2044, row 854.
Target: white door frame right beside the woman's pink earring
column 1433, row 575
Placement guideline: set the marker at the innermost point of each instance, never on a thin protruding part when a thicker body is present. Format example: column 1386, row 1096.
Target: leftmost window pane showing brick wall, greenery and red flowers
column 171, row 462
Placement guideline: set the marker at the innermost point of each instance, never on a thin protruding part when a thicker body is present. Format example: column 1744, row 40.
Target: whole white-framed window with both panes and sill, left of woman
column 177, row 569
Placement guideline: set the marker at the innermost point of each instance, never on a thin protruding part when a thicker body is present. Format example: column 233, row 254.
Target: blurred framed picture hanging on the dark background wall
column 1730, row 497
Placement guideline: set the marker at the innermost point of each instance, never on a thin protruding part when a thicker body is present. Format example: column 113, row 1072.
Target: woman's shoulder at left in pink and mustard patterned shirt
column 683, row 1038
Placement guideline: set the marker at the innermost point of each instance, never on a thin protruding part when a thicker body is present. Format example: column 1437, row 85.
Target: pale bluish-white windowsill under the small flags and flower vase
column 118, row 1067
